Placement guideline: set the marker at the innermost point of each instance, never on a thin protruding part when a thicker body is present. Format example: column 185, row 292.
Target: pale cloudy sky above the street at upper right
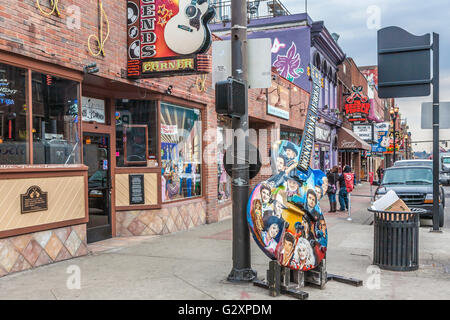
column 357, row 21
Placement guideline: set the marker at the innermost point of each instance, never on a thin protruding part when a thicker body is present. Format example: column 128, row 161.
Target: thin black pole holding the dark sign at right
column 435, row 132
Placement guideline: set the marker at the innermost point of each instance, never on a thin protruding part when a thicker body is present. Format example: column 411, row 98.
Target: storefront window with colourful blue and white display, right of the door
column 181, row 152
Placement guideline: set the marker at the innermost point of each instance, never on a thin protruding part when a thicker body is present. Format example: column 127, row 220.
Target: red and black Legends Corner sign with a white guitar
column 168, row 37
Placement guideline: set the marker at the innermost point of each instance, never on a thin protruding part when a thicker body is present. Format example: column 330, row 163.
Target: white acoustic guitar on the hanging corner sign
column 190, row 22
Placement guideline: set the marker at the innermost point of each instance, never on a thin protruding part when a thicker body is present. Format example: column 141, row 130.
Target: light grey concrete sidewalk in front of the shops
column 194, row 265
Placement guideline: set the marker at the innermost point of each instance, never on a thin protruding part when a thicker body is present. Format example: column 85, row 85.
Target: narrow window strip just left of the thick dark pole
column 224, row 180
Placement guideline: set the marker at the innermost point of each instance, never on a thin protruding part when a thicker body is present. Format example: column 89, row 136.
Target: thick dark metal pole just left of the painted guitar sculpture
column 241, row 237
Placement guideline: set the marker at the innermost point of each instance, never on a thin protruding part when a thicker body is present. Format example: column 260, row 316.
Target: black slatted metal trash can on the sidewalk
column 396, row 240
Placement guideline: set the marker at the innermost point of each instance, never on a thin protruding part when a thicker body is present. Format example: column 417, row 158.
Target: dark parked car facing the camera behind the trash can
column 414, row 185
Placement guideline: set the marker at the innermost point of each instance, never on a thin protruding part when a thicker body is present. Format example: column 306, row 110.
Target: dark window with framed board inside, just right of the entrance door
column 136, row 133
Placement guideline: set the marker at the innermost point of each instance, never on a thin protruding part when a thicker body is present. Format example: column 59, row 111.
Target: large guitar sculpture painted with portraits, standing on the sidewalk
column 283, row 212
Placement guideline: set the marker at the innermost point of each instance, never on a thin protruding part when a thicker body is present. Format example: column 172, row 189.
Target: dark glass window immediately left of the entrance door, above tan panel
column 56, row 138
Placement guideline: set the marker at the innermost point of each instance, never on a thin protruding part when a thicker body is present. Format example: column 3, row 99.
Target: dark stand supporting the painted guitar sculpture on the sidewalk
column 282, row 280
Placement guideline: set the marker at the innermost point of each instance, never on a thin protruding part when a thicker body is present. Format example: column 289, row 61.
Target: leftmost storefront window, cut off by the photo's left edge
column 13, row 115
